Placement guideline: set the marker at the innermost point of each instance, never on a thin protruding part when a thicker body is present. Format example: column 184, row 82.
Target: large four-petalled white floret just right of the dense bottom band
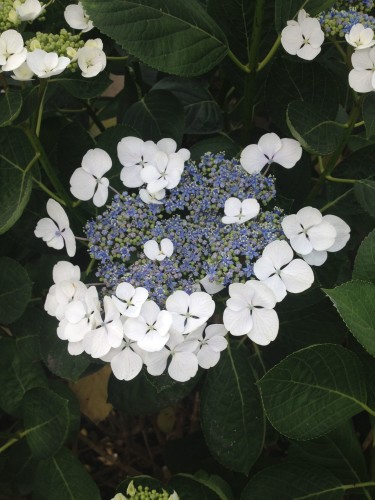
column 250, row 312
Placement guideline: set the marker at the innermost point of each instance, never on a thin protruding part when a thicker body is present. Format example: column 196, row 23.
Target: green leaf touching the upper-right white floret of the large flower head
column 316, row 133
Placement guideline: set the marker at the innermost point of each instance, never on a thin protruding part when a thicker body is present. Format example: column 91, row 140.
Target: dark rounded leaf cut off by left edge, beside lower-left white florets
column 15, row 290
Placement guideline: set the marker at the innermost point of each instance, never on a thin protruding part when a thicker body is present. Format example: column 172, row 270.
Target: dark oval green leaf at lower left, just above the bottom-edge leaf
column 46, row 421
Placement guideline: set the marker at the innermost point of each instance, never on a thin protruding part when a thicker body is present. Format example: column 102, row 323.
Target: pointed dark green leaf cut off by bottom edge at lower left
column 63, row 477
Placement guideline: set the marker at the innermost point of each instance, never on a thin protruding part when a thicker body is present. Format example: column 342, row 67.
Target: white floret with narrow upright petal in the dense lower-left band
column 107, row 334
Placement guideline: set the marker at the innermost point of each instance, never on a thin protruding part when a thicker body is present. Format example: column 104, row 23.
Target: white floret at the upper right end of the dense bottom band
column 189, row 312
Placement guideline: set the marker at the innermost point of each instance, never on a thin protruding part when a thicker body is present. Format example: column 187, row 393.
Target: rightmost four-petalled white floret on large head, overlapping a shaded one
column 307, row 231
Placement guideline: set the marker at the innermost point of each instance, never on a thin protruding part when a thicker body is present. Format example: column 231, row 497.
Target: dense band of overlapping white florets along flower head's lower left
column 130, row 331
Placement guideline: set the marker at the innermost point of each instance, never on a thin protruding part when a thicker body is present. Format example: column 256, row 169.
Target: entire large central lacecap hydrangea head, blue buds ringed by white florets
column 178, row 234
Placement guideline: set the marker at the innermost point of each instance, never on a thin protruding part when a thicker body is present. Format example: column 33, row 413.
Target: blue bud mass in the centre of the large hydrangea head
column 190, row 217
